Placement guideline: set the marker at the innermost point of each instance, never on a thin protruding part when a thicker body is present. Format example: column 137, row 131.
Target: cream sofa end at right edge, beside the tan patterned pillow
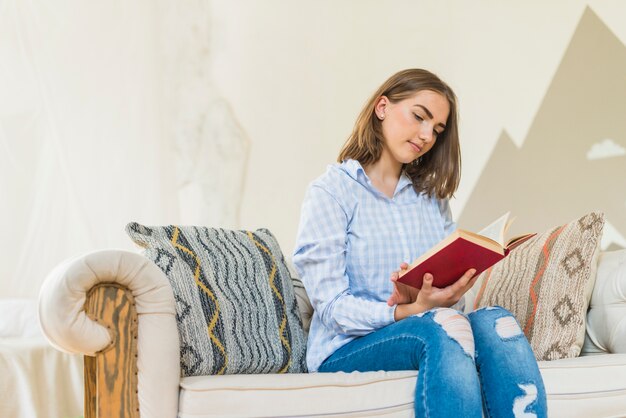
column 606, row 318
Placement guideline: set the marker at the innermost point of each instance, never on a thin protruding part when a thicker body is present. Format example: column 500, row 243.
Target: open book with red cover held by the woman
column 463, row 250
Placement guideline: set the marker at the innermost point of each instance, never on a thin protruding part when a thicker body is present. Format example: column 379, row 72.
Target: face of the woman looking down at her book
column 411, row 126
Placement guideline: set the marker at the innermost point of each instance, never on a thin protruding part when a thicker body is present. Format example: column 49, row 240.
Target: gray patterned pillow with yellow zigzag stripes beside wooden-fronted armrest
column 235, row 304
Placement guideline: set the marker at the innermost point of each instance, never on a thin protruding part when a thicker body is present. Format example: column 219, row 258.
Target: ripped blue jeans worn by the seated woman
column 468, row 366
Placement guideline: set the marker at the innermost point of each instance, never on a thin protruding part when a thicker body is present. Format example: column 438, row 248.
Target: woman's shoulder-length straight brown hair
column 436, row 173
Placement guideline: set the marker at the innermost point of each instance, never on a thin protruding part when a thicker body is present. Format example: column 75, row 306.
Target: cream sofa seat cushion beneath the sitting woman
column 579, row 387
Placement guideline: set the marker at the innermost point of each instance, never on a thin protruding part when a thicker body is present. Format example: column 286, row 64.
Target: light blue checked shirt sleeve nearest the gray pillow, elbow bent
column 320, row 259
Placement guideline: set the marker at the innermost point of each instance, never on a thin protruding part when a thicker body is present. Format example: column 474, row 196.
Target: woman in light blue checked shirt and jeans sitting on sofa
column 386, row 202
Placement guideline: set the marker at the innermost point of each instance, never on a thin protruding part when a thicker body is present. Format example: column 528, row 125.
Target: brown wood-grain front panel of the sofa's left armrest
column 111, row 375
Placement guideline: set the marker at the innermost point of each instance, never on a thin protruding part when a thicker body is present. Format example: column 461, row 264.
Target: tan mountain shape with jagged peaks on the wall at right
column 550, row 180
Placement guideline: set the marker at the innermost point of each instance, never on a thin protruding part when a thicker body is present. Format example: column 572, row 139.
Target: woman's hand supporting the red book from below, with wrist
column 430, row 297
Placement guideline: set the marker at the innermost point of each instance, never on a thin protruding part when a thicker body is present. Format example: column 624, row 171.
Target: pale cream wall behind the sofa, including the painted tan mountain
column 159, row 112
